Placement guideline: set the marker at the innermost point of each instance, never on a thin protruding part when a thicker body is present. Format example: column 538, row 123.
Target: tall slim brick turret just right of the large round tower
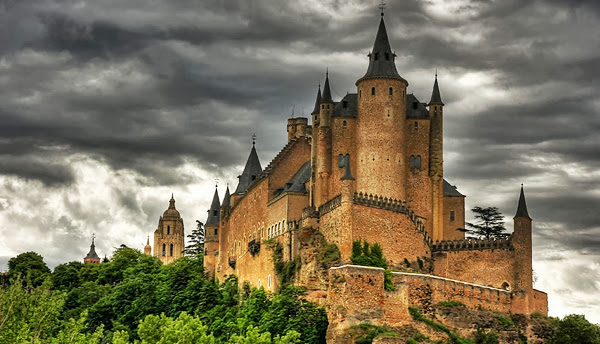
column 436, row 161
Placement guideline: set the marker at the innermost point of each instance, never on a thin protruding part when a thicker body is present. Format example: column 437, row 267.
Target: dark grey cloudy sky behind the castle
column 108, row 107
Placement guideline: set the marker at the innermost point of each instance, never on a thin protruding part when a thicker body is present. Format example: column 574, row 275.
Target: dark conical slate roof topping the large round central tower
column 381, row 59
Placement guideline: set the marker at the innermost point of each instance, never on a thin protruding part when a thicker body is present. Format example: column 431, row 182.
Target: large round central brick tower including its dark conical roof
column 381, row 162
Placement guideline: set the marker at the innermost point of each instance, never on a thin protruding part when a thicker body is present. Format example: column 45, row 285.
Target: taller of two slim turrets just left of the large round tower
column 323, row 143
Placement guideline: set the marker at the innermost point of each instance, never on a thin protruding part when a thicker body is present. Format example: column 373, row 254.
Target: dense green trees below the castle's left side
column 133, row 298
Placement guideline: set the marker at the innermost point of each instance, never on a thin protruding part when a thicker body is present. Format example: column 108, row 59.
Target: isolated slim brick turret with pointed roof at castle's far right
column 523, row 270
